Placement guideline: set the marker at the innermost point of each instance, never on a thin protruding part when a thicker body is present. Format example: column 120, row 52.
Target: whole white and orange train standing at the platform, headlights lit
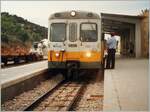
column 75, row 41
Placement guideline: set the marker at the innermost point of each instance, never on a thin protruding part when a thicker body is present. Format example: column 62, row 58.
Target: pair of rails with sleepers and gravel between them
column 60, row 98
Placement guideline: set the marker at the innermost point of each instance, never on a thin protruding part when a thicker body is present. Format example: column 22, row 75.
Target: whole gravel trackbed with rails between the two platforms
column 82, row 94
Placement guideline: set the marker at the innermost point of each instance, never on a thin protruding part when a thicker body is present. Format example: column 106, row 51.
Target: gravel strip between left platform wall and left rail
column 22, row 101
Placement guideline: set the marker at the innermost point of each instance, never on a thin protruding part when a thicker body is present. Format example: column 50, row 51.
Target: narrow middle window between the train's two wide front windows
column 72, row 32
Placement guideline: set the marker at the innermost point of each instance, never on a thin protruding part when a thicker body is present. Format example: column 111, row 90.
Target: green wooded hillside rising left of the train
column 16, row 29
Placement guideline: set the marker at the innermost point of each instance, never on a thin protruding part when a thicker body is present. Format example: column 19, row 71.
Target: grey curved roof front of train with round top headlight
column 78, row 15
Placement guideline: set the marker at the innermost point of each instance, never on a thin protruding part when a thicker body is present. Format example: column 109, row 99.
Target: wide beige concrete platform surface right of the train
column 126, row 86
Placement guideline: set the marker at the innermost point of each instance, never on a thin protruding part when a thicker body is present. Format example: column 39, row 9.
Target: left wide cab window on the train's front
column 58, row 32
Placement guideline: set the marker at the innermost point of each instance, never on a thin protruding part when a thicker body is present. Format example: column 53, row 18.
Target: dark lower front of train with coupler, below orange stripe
column 72, row 68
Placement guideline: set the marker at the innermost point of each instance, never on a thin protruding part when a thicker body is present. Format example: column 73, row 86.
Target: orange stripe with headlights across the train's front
column 83, row 56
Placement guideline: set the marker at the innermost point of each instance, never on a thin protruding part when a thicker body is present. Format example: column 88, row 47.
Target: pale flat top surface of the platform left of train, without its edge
column 13, row 73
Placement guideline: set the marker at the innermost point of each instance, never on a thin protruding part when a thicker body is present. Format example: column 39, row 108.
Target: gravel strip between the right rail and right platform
column 92, row 98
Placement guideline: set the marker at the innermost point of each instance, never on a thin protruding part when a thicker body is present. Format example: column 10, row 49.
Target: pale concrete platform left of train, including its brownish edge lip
column 17, row 74
